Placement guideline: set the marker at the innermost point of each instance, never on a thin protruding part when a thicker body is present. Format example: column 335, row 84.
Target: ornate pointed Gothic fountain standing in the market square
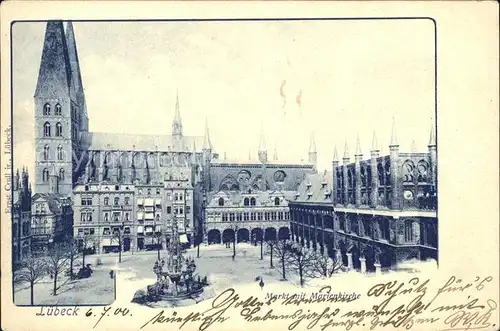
column 175, row 279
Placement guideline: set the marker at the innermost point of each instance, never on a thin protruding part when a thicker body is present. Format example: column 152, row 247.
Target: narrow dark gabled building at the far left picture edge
column 21, row 216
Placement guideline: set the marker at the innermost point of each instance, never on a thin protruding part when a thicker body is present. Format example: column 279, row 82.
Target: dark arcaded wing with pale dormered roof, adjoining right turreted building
column 312, row 215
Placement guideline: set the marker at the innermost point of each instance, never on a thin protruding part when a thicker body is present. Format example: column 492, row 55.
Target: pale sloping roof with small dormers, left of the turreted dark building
column 313, row 188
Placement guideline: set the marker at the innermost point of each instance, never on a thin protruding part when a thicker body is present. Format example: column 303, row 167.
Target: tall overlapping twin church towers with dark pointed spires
column 59, row 111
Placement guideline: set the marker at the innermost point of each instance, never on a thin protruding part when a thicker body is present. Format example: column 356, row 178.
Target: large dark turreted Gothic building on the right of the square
column 385, row 206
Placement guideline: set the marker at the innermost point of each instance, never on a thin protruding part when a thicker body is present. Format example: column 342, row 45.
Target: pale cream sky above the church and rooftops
column 354, row 78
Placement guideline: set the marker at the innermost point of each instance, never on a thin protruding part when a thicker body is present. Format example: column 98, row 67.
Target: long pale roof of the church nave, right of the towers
column 138, row 142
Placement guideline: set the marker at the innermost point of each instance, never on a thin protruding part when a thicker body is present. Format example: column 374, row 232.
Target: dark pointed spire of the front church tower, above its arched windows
column 54, row 77
